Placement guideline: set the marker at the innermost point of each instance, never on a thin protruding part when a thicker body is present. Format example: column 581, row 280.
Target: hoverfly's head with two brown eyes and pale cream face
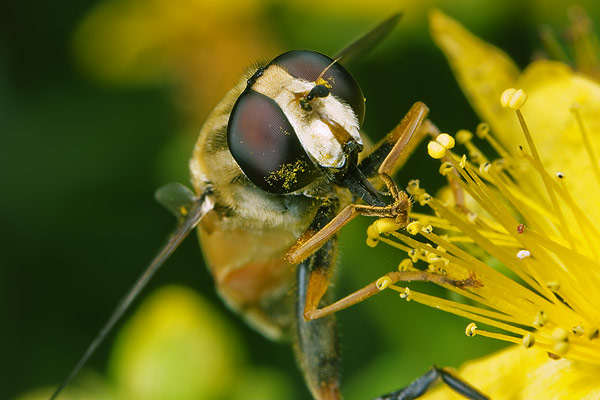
column 298, row 119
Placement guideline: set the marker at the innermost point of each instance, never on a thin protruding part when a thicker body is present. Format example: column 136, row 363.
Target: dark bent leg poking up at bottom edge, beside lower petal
column 421, row 385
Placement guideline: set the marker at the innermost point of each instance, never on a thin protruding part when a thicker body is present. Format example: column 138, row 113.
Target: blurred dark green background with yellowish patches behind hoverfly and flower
column 100, row 102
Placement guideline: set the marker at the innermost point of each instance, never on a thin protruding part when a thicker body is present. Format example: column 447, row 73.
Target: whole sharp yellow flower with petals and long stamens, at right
column 533, row 210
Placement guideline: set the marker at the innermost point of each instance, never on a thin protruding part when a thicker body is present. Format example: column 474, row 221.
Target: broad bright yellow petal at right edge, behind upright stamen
column 553, row 89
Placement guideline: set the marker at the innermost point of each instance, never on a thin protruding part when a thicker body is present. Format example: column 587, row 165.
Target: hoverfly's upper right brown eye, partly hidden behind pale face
column 308, row 65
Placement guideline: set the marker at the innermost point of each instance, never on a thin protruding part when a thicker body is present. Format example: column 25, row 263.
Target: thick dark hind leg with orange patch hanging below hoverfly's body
column 316, row 347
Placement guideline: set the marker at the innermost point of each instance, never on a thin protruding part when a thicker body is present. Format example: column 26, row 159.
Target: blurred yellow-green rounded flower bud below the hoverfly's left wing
column 176, row 346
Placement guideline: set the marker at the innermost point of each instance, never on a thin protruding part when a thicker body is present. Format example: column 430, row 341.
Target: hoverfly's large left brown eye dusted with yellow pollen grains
column 265, row 146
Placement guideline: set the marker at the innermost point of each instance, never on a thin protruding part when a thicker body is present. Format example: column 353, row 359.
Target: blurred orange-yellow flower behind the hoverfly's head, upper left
column 199, row 44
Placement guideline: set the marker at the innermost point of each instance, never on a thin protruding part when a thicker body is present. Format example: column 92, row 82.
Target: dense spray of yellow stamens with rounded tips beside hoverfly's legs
column 548, row 303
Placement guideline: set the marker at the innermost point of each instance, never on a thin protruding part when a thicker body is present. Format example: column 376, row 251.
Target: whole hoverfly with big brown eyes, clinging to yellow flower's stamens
column 277, row 171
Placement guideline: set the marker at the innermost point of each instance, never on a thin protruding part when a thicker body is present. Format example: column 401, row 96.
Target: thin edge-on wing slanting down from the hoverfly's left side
column 189, row 210
